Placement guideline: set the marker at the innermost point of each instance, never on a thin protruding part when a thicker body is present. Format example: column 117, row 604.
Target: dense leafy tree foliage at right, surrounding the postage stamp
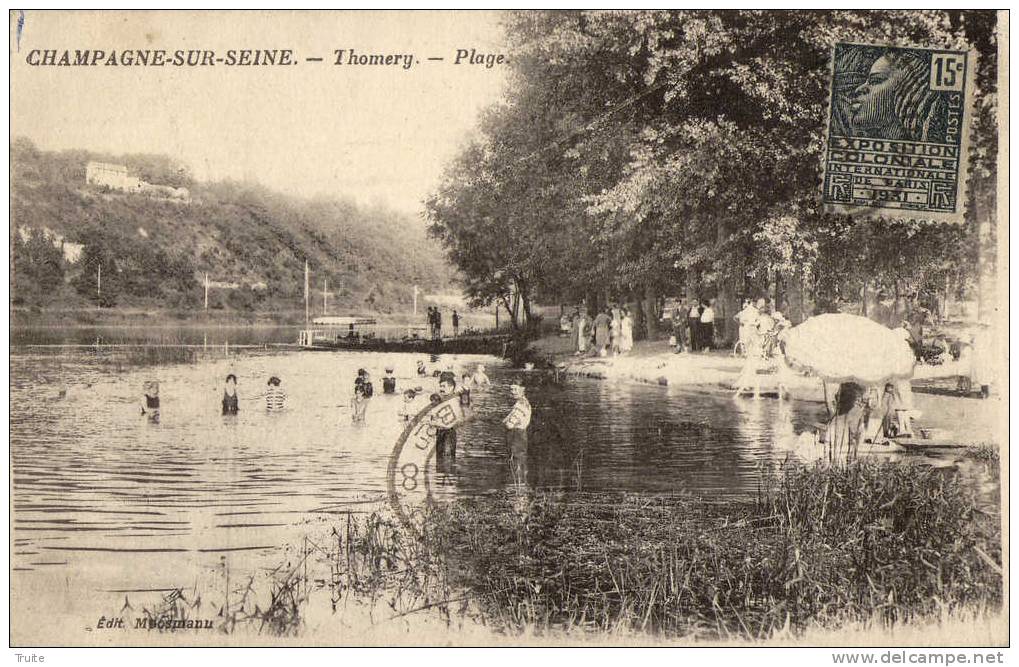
column 648, row 153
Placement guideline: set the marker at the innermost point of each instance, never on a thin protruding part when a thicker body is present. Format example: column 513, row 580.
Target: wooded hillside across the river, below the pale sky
column 156, row 252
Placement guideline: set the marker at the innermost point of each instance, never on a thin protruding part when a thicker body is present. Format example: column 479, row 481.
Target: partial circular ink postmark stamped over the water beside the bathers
column 408, row 476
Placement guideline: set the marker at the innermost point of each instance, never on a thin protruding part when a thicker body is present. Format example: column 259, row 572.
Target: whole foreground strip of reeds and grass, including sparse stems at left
column 876, row 549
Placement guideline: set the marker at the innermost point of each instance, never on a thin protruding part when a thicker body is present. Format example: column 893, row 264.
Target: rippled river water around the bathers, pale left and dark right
column 109, row 504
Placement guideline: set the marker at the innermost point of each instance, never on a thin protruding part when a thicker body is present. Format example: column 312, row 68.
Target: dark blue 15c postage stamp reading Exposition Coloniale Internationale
column 898, row 132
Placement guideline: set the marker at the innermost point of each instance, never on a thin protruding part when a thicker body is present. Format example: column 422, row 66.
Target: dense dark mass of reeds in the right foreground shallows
column 821, row 547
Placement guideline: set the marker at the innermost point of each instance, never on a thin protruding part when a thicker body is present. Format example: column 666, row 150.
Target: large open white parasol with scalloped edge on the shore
column 840, row 348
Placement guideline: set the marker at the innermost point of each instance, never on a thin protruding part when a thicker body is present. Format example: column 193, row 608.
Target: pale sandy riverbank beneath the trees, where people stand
column 968, row 420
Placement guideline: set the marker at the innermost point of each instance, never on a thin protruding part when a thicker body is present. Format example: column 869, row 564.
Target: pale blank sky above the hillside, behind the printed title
column 379, row 135
